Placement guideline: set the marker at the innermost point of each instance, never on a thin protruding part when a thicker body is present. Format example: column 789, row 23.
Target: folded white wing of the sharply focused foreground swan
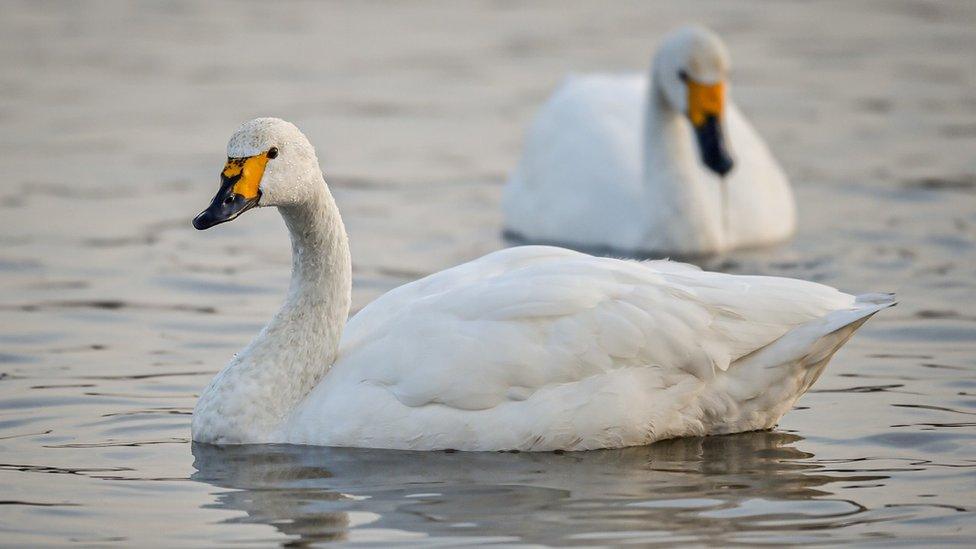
column 516, row 322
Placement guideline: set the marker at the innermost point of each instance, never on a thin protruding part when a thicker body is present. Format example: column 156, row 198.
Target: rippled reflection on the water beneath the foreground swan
column 718, row 489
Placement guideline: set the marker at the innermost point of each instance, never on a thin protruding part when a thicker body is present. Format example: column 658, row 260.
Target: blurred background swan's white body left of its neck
column 586, row 136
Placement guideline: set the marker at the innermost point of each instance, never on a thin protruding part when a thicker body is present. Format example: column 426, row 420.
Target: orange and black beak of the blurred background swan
column 706, row 105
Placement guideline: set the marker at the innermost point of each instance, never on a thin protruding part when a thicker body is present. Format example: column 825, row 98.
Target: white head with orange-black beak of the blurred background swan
column 690, row 69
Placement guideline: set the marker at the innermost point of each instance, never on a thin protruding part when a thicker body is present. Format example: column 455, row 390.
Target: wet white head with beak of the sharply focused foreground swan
column 269, row 162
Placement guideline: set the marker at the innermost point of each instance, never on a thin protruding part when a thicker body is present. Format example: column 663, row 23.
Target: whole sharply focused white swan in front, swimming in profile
column 527, row 348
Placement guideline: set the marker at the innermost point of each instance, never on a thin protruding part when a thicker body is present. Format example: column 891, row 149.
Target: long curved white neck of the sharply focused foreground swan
column 264, row 382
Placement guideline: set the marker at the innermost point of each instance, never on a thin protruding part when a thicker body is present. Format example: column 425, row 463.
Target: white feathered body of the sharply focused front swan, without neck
column 541, row 348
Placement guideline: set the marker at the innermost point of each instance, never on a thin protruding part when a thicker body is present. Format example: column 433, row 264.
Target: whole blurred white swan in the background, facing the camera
column 614, row 163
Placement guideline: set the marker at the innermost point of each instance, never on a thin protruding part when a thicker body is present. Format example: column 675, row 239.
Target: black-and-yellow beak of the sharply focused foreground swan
column 240, row 190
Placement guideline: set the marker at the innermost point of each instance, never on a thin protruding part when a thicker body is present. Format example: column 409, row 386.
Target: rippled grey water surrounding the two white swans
column 114, row 312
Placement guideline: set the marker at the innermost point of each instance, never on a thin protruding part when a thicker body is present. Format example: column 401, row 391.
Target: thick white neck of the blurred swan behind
column 675, row 182
